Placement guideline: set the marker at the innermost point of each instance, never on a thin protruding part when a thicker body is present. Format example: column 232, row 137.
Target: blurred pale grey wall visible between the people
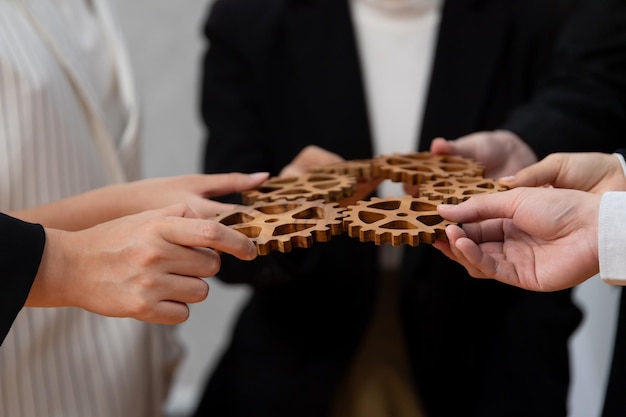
column 164, row 38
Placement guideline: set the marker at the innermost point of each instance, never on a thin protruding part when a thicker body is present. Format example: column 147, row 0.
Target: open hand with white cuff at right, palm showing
column 541, row 239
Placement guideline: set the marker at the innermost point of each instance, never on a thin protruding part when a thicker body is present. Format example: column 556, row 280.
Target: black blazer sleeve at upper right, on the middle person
column 584, row 97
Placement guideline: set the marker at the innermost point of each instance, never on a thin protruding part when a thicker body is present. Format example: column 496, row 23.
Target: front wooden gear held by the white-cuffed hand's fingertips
column 396, row 221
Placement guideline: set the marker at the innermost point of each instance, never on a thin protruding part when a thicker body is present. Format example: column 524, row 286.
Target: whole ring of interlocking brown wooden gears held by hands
column 291, row 212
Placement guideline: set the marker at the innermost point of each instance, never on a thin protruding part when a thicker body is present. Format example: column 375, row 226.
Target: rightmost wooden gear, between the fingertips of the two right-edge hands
column 454, row 190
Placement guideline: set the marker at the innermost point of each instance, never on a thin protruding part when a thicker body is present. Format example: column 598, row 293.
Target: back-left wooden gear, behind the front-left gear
column 311, row 186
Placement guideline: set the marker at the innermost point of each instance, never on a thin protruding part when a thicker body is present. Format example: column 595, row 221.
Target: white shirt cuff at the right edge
column 612, row 238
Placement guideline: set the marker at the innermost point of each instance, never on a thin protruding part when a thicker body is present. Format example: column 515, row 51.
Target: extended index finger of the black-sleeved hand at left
column 211, row 234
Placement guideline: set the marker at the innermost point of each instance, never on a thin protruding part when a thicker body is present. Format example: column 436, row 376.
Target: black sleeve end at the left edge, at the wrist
column 21, row 248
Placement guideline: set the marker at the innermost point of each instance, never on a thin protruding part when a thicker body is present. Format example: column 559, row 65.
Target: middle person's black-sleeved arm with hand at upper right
column 580, row 107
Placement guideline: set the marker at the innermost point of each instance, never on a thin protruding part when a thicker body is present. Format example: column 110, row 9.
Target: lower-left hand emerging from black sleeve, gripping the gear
column 146, row 266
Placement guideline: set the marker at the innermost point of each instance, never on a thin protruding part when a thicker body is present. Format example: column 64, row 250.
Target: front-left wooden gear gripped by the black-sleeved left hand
column 286, row 224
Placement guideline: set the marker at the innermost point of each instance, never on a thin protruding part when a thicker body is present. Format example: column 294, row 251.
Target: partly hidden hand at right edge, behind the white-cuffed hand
column 592, row 171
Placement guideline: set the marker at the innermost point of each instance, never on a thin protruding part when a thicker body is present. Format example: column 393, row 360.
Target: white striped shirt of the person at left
column 68, row 124
